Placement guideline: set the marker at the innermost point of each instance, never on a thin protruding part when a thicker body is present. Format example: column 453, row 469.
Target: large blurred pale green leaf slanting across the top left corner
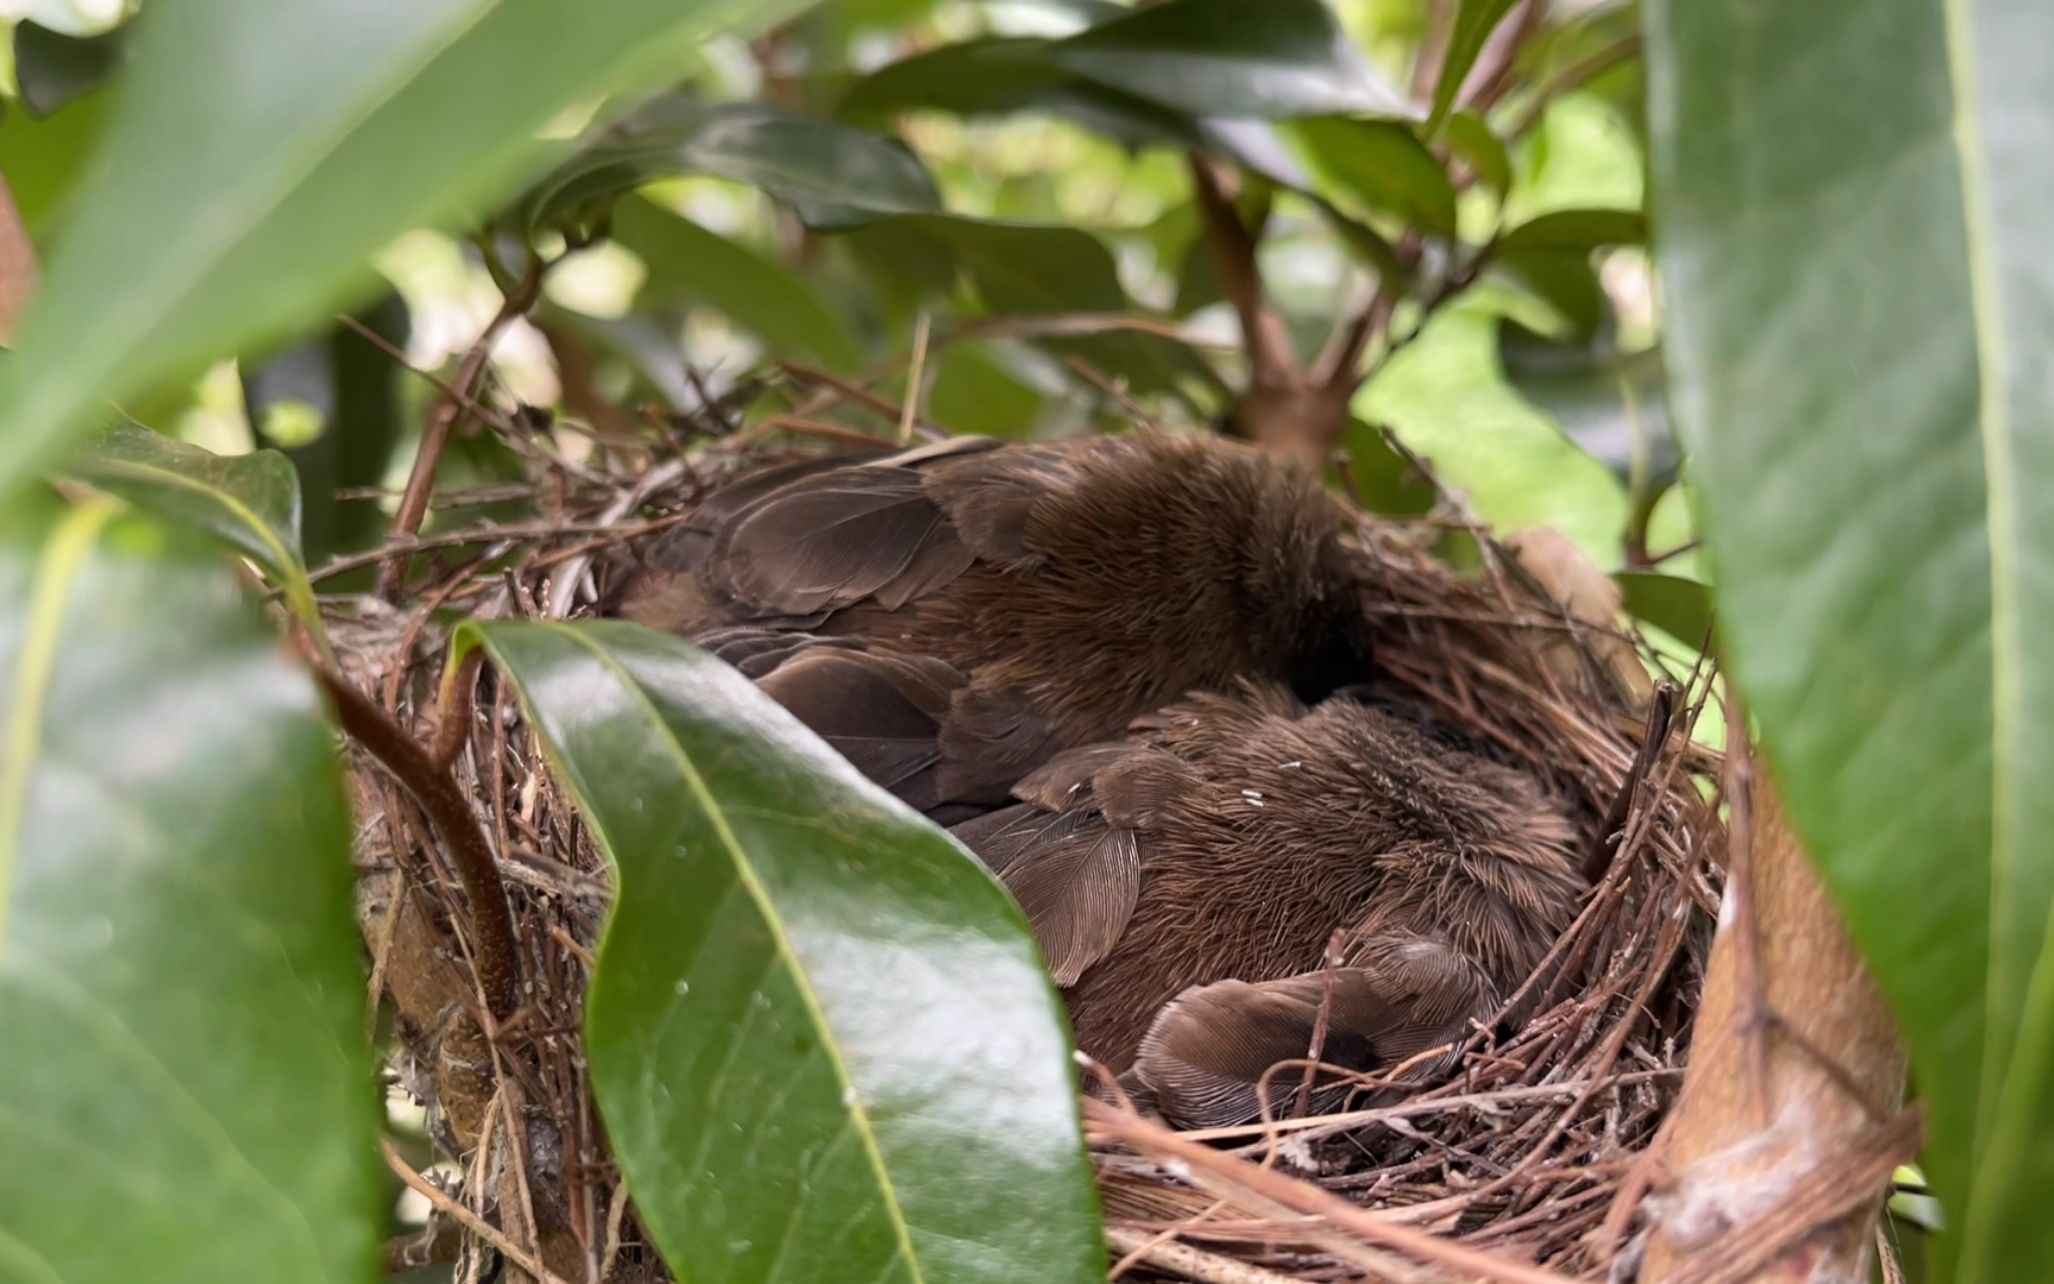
column 217, row 221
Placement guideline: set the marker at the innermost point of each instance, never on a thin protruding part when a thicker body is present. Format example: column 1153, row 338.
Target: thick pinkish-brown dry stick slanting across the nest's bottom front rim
column 1311, row 1201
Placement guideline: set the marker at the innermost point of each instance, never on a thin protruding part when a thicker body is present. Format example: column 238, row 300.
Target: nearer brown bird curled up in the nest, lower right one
column 1186, row 882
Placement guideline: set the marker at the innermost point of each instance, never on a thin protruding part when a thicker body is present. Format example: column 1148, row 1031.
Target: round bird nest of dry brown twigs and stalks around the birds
column 1525, row 1160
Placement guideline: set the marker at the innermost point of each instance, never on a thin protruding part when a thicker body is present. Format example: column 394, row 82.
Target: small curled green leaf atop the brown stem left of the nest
column 250, row 502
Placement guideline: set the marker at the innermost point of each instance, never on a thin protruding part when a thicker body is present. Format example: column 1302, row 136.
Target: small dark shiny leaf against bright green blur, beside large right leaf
column 1611, row 404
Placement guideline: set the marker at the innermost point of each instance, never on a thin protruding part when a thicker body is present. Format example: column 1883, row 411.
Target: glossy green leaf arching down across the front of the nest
column 810, row 1004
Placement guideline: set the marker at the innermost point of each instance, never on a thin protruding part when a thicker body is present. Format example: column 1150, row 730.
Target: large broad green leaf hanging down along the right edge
column 1862, row 336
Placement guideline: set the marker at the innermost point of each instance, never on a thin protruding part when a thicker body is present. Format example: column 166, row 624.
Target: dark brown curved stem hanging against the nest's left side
column 455, row 823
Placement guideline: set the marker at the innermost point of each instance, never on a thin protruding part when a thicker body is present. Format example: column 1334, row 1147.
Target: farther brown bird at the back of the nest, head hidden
column 954, row 615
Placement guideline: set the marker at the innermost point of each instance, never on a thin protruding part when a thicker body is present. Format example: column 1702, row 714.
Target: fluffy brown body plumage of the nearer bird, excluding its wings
column 1270, row 825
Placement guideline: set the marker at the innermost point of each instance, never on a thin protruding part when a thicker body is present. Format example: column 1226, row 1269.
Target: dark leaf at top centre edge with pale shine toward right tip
column 1231, row 59
